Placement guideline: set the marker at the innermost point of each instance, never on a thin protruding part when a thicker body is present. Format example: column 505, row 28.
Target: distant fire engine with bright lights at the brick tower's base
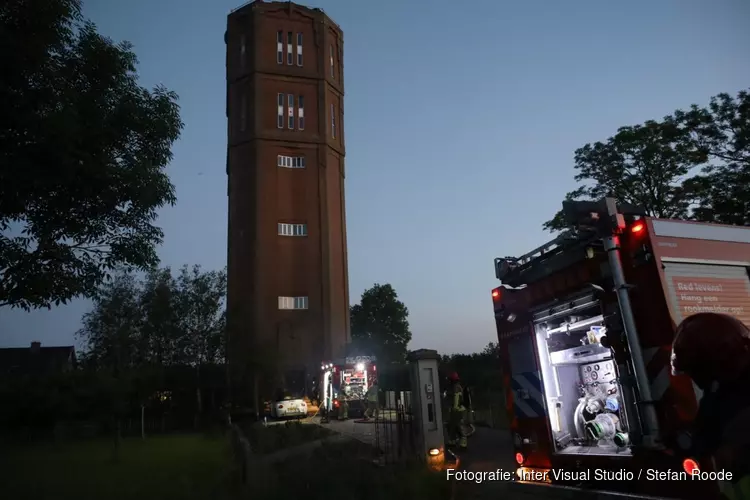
column 347, row 379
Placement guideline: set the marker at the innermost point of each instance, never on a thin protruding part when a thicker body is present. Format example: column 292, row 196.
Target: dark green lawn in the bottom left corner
column 162, row 467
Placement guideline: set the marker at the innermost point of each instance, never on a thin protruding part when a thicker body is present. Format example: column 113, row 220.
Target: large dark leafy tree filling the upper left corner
column 83, row 151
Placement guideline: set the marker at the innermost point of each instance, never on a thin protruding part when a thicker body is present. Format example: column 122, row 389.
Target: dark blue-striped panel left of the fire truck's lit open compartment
column 528, row 398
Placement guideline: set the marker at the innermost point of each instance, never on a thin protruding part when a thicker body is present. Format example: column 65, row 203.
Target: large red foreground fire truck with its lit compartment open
column 585, row 325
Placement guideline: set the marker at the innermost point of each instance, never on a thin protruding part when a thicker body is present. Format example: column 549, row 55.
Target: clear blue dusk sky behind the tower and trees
column 461, row 122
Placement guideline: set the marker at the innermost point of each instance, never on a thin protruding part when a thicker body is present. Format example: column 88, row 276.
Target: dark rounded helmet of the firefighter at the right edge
column 711, row 347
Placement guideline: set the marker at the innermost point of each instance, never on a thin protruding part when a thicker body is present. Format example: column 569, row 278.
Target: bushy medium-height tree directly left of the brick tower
column 141, row 333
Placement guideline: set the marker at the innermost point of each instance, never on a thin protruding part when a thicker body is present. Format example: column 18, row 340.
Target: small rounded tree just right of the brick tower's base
column 380, row 324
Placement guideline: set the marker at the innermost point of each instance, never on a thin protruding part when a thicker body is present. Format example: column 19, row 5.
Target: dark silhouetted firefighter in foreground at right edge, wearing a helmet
column 714, row 351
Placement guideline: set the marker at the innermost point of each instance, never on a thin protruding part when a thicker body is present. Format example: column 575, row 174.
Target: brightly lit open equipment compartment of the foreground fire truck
column 583, row 395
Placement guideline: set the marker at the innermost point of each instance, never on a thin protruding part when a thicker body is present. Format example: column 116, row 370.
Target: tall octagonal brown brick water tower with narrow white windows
column 288, row 292
